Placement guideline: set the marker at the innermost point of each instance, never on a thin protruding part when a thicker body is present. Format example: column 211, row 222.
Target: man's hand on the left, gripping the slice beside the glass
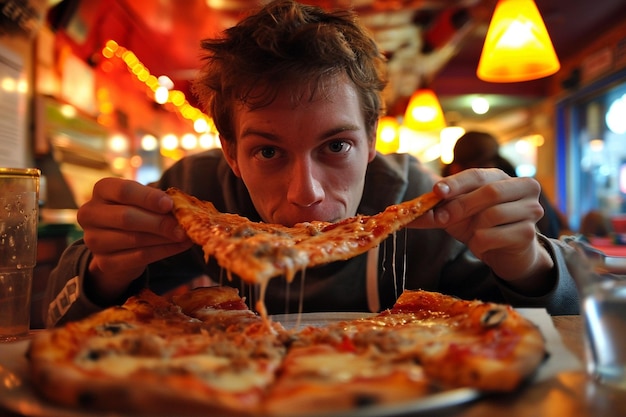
column 127, row 226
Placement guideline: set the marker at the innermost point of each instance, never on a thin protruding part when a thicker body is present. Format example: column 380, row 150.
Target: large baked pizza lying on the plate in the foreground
column 204, row 352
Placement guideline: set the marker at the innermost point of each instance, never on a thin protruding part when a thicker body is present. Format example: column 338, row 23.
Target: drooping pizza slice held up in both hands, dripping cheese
column 259, row 251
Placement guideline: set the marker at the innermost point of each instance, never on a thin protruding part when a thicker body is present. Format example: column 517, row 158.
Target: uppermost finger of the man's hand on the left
column 122, row 191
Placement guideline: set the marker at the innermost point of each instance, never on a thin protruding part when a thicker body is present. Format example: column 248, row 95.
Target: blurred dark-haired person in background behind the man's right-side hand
column 481, row 150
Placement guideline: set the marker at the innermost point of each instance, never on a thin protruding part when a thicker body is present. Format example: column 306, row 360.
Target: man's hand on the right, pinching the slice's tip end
column 495, row 216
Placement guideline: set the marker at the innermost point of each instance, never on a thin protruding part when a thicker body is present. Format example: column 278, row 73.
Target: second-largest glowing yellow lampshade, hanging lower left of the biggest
column 424, row 111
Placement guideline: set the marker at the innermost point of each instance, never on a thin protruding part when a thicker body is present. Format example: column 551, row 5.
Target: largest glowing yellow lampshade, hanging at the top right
column 517, row 46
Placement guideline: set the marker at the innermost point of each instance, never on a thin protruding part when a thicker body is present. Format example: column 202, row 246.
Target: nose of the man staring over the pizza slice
column 305, row 188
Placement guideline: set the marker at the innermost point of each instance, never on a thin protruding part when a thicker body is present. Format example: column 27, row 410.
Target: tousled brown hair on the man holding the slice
column 287, row 46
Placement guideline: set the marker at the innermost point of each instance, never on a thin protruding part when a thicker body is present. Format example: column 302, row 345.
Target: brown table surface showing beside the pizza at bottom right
column 567, row 394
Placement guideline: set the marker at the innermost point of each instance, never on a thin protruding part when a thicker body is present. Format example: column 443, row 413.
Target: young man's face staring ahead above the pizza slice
column 304, row 162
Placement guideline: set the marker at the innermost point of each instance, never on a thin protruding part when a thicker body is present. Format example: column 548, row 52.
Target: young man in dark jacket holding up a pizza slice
column 295, row 94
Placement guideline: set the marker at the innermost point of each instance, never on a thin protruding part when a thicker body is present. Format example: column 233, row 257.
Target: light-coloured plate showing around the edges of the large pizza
column 17, row 393
